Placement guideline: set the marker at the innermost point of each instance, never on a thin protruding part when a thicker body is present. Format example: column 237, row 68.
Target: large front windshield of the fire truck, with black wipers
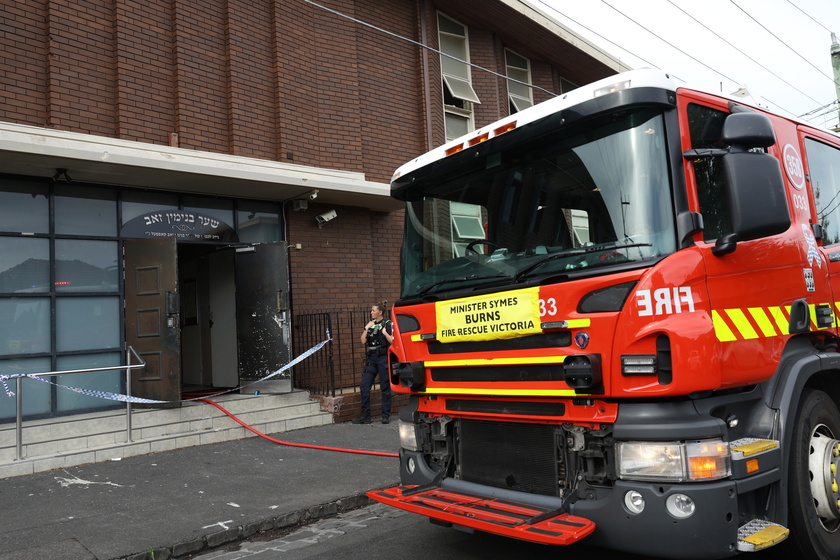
column 585, row 197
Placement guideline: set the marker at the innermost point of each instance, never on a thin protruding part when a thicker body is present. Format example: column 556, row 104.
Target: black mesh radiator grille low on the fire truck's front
column 510, row 455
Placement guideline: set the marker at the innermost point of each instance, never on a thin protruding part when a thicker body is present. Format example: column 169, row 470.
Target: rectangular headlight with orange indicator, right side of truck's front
column 674, row 461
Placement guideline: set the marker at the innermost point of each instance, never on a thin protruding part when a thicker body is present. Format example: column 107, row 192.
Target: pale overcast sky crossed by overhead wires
column 779, row 50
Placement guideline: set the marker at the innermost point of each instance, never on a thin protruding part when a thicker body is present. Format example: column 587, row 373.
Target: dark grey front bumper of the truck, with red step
column 599, row 514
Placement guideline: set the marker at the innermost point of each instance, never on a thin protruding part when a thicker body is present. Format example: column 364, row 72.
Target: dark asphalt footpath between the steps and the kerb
column 176, row 503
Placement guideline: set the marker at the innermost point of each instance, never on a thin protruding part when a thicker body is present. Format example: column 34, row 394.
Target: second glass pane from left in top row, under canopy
column 85, row 211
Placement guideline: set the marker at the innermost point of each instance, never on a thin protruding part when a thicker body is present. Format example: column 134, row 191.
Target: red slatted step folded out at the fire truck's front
column 502, row 517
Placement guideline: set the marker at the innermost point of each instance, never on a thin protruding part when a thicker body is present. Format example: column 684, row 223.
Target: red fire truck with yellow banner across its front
column 618, row 322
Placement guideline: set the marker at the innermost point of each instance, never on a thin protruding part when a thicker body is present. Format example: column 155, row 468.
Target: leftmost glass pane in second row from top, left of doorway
column 24, row 265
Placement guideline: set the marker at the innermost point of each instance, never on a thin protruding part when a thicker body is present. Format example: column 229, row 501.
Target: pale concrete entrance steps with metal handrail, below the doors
column 88, row 438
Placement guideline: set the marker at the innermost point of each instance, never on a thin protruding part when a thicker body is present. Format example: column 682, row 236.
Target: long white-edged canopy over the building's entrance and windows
column 36, row 151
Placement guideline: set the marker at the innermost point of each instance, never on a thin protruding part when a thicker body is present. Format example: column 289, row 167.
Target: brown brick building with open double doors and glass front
column 177, row 156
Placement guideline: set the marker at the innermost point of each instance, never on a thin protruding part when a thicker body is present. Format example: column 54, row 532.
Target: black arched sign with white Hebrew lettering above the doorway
column 183, row 225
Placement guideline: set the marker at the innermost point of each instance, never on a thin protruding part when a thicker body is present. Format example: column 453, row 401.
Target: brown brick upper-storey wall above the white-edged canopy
column 280, row 79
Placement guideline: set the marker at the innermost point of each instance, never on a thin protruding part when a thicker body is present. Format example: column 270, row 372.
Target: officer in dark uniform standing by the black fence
column 376, row 338
